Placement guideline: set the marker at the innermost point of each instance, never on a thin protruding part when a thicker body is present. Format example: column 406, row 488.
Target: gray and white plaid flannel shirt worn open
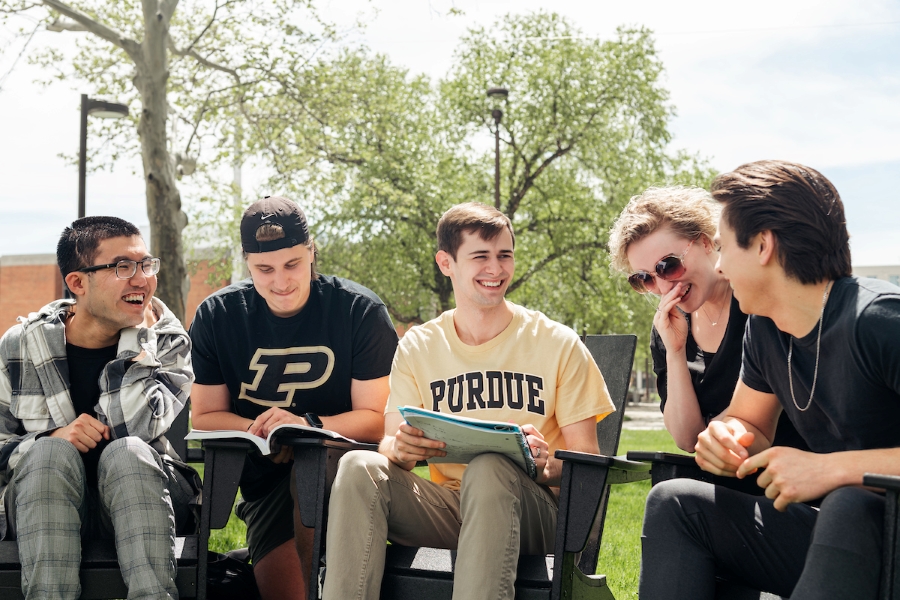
column 141, row 391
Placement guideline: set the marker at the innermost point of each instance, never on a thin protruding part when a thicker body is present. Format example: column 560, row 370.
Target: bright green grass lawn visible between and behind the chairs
column 620, row 555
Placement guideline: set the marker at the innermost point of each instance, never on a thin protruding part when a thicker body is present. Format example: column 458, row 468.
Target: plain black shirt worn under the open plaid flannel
column 85, row 366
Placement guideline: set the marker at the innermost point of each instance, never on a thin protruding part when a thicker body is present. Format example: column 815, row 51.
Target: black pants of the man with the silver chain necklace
column 694, row 531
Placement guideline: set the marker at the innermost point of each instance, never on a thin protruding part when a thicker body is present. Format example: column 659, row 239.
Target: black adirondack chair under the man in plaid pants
column 100, row 575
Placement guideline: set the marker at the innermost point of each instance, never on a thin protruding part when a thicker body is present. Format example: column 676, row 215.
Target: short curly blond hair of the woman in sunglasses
column 689, row 211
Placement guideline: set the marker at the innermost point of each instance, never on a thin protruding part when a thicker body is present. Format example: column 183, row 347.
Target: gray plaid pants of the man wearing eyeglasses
column 50, row 507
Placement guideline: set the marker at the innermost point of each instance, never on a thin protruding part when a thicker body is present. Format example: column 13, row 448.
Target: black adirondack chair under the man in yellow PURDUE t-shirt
column 412, row 573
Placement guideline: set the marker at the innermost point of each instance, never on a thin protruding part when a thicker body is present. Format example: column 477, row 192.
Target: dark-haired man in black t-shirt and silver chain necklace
column 820, row 345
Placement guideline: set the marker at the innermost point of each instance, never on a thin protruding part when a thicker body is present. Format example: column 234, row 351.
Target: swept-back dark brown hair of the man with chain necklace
column 799, row 206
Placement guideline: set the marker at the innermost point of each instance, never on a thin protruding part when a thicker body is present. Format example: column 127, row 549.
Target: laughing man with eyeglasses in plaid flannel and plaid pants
column 88, row 389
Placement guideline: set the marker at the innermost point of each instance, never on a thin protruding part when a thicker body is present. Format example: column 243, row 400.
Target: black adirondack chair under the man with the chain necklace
column 665, row 465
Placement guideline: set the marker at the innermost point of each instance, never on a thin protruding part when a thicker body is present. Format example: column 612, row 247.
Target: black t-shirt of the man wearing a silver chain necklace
column 857, row 398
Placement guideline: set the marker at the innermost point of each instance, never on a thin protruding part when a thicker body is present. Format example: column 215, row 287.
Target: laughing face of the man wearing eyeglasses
column 105, row 303
